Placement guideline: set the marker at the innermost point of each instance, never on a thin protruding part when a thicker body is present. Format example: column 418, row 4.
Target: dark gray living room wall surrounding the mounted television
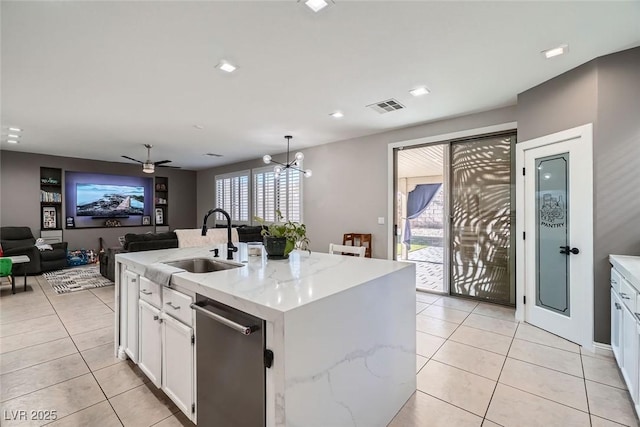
column 20, row 195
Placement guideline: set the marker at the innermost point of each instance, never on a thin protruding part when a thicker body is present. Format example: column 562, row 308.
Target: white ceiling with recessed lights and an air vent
column 99, row 79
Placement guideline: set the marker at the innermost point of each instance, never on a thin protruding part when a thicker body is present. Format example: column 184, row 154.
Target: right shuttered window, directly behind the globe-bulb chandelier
column 271, row 194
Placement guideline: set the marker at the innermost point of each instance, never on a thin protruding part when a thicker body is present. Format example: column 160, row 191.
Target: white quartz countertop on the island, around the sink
column 269, row 287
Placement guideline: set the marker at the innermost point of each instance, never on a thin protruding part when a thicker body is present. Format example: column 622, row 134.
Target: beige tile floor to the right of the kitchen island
column 477, row 366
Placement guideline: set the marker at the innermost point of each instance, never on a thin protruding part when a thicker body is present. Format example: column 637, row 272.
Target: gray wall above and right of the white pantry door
column 605, row 92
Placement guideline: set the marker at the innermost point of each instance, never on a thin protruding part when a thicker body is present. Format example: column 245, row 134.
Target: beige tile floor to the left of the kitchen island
column 56, row 353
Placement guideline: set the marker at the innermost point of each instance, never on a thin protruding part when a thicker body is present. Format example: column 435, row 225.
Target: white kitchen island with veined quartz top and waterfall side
column 341, row 331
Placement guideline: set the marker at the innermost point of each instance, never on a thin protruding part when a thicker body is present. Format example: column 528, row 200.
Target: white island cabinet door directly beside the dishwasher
column 177, row 364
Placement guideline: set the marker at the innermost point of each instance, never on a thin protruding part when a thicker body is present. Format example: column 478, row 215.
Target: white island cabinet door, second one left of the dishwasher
column 150, row 356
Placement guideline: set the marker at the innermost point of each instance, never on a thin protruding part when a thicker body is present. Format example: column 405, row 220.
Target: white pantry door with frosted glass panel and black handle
column 555, row 206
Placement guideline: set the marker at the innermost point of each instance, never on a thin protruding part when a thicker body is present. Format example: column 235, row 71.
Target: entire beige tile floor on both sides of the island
column 476, row 366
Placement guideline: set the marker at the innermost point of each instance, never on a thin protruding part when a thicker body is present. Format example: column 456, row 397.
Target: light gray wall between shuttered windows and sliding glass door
column 348, row 190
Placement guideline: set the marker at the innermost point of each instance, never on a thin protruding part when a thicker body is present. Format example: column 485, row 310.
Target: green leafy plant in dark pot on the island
column 280, row 238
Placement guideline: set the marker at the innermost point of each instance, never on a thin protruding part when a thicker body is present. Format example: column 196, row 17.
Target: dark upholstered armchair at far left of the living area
column 20, row 241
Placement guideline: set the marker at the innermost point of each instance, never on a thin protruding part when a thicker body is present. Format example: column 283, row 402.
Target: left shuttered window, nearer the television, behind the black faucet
column 232, row 195
